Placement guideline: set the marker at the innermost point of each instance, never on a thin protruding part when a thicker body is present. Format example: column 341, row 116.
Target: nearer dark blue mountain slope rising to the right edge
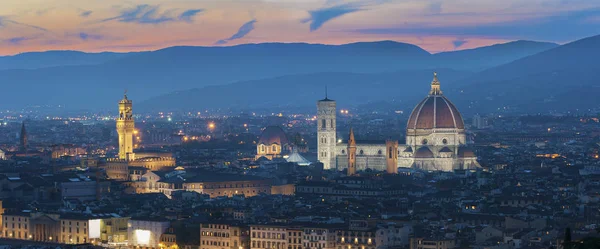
column 562, row 78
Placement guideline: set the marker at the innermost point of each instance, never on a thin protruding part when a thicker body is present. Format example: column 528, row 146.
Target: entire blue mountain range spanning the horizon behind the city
column 295, row 74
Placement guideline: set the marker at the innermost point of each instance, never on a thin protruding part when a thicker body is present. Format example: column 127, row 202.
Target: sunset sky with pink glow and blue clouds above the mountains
column 141, row 25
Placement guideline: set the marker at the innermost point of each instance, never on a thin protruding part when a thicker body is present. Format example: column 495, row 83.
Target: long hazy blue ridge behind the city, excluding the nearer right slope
column 90, row 81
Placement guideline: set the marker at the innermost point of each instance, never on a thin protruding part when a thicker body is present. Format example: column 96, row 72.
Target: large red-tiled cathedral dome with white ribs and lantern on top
column 435, row 111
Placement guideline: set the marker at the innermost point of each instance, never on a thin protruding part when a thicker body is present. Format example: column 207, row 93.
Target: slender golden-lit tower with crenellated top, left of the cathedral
column 125, row 127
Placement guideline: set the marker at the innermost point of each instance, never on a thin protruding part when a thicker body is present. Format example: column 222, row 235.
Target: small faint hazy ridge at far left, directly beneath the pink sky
column 33, row 60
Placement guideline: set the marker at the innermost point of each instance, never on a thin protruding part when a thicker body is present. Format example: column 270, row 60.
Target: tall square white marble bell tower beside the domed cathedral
column 326, row 132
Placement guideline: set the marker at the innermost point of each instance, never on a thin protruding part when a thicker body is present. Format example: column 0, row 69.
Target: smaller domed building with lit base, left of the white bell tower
column 273, row 143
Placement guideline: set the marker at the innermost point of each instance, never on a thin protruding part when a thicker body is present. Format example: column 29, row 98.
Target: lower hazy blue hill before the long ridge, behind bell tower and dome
column 349, row 89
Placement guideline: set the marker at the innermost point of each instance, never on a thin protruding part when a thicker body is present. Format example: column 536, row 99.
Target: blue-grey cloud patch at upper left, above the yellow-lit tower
column 151, row 14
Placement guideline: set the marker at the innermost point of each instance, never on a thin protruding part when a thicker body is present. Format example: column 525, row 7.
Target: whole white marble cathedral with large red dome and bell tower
column 435, row 141
